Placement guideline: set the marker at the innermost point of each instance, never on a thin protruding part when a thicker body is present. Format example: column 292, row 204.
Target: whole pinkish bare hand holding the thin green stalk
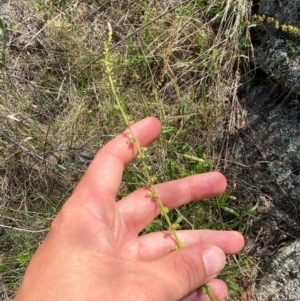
column 93, row 251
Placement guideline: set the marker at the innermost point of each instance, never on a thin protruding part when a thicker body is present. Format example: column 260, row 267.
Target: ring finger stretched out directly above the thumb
column 156, row 245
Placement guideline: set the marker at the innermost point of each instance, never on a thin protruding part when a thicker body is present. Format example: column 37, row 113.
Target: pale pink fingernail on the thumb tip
column 214, row 261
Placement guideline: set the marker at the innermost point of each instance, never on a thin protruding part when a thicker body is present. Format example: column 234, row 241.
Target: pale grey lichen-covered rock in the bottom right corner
column 282, row 281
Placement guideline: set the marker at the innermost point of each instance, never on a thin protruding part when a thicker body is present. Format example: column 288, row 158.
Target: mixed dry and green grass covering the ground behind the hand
column 176, row 60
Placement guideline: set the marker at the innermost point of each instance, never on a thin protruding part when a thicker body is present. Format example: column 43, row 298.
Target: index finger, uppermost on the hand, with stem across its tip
column 103, row 177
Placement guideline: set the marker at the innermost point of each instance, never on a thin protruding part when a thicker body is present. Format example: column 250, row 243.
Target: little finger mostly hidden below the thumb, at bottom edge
column 218, row 289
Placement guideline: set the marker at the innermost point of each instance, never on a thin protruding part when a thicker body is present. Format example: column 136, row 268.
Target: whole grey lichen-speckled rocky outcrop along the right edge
column 274, row 119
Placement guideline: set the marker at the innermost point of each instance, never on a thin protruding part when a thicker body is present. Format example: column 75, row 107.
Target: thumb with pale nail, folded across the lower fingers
column 186, row 269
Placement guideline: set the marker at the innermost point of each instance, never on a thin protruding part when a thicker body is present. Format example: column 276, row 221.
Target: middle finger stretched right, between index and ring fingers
column 138, row 210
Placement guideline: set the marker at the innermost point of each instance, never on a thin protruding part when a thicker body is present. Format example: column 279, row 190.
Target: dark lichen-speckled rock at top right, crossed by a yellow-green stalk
column 277, row 53
